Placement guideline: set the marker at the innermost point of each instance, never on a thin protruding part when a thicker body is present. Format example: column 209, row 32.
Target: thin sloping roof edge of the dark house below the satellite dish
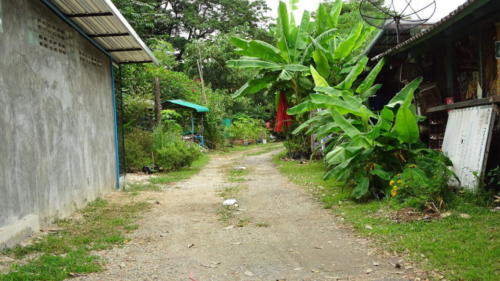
column 457, row 14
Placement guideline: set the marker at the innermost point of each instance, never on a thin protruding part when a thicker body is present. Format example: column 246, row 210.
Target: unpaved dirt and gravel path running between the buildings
column 182, row 238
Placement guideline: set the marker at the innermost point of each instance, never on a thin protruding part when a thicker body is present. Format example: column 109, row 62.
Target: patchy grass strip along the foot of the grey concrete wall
column 67, row 251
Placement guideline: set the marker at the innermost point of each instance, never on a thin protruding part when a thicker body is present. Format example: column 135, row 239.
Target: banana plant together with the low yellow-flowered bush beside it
column 376, row 153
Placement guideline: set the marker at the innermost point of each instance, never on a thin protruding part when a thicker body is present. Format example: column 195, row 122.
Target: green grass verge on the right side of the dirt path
column 459, row 248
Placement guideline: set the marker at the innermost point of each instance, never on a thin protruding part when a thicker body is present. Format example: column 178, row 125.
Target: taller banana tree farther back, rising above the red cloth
column 284, row 70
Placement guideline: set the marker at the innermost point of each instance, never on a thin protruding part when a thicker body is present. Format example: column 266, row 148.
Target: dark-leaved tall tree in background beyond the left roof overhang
column 181, row 21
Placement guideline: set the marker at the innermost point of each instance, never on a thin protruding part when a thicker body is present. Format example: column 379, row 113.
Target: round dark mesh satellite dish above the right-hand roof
column 397, row 14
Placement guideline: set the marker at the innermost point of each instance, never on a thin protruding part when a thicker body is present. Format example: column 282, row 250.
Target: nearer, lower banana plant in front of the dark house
column 368, row 147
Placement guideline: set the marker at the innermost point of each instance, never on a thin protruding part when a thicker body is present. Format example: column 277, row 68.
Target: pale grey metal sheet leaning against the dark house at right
column 467, row 141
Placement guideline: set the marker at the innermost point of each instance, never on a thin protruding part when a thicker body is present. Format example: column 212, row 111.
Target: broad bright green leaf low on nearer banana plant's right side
column 406, row 126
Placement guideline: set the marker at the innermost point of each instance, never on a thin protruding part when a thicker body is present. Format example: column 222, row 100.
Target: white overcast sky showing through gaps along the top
column 443, row 7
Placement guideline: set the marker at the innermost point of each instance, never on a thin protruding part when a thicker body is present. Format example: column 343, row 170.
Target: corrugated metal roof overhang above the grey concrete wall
column 103, row 22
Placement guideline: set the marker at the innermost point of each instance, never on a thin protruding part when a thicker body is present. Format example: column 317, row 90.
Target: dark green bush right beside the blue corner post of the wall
column 138, row 149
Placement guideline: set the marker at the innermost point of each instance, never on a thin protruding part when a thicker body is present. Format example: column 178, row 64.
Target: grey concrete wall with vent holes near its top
column 57, row 148
